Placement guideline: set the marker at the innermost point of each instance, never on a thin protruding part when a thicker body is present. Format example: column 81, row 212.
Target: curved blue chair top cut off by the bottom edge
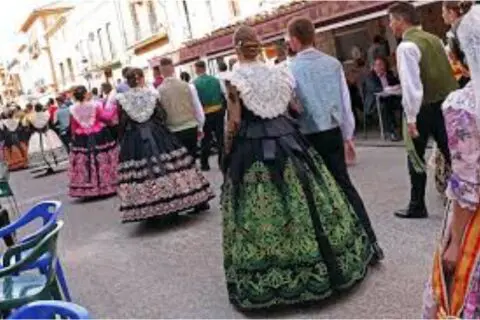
column 49, row 310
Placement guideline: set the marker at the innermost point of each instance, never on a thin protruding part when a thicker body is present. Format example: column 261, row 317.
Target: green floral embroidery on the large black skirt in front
column 272, row 255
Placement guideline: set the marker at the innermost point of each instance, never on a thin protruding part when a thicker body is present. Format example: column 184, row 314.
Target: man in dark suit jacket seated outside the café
column 377, row 80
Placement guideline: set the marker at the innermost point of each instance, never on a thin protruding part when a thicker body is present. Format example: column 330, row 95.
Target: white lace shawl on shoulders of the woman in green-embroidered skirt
column 264, row 90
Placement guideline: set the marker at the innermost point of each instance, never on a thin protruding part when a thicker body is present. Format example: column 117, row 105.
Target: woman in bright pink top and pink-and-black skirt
column 94, row 152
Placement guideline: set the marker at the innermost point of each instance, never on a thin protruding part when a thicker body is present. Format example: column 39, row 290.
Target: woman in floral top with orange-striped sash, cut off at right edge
column 453, row 290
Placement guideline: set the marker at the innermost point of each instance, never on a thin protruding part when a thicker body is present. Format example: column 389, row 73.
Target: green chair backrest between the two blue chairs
column 33, row 250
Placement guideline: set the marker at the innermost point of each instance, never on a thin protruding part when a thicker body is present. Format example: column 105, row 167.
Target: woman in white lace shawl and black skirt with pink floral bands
column 157, row 175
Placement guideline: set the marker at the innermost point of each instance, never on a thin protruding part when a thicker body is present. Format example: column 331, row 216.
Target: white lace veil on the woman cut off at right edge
column 469, row 37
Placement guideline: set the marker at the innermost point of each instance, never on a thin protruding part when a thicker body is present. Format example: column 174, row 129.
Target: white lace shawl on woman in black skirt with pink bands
column 139, row 103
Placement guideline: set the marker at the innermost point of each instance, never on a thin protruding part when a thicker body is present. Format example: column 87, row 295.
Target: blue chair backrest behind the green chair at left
column 47, row 211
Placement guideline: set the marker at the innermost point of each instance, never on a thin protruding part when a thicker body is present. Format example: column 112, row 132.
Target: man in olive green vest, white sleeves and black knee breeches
column 426, row 78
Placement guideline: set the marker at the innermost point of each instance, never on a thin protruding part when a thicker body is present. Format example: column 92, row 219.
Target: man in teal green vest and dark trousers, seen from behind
column 210, row 93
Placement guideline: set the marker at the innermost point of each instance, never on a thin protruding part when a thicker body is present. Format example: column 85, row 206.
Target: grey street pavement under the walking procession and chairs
column 175, row 270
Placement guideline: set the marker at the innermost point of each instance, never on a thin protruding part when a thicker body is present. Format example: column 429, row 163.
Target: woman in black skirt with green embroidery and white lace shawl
column 289, row 233
